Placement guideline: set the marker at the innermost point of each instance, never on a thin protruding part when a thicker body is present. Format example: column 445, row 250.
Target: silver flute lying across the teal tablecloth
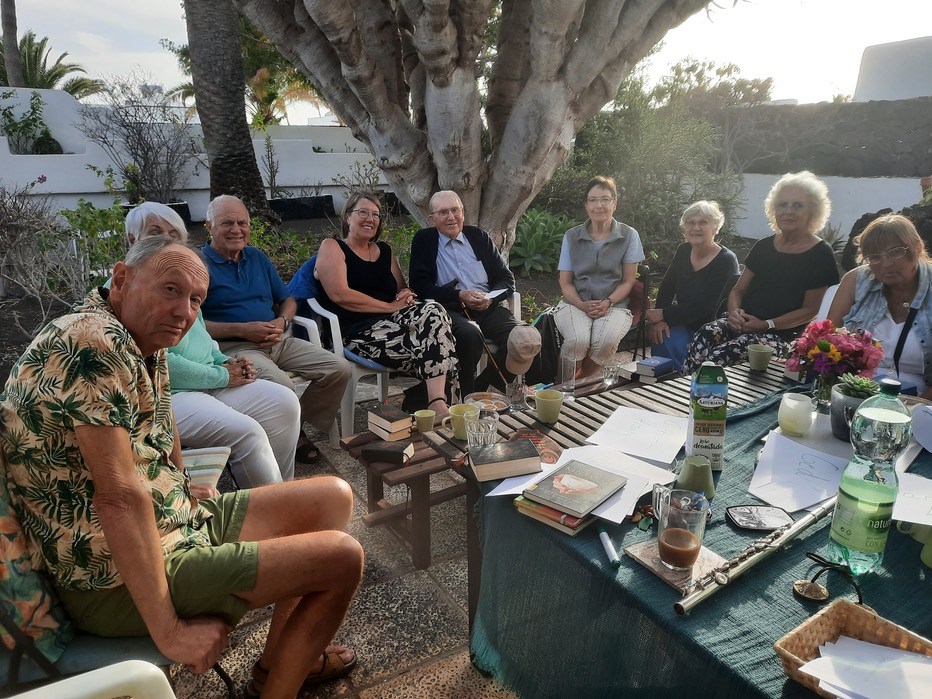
column 715, row 580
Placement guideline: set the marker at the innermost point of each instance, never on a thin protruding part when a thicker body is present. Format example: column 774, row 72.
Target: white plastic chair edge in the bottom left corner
column 134, row 678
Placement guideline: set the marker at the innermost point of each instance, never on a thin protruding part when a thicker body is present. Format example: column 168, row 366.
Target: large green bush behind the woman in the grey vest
column 661, row 158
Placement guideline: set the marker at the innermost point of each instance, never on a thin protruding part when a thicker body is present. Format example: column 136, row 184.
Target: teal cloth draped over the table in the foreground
column 555, row 620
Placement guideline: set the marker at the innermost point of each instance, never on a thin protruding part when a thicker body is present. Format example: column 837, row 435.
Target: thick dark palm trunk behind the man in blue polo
column 217, row 74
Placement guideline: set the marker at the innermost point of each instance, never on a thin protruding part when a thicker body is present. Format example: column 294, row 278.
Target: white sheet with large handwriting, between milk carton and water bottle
column 793, row 476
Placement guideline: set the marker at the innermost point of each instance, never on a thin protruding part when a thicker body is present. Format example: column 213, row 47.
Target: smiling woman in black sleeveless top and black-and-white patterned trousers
column 380, row 317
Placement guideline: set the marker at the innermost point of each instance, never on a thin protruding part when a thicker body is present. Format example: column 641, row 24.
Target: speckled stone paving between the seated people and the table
column 408, row 627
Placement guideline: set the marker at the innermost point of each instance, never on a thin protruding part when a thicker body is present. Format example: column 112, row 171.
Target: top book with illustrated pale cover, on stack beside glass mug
column 575, row 488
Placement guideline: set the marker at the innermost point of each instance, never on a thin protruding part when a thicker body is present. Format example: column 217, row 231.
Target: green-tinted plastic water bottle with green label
column 879, row 433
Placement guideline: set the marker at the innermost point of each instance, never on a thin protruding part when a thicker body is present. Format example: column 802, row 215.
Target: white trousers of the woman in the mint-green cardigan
column 260, row 422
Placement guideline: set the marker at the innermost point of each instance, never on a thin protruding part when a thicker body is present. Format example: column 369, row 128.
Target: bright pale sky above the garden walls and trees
column 812, row 48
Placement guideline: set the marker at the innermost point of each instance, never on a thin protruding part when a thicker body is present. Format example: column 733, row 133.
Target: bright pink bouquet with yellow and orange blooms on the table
column 831, row 351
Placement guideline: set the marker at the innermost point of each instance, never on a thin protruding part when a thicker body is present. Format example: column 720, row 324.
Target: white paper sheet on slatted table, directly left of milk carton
column 642, row 433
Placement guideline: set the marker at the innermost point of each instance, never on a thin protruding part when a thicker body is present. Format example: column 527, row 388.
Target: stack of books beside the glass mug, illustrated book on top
column 566, row 498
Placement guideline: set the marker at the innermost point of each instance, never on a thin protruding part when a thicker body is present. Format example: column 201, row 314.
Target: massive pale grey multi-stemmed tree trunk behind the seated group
column 559, row 62
